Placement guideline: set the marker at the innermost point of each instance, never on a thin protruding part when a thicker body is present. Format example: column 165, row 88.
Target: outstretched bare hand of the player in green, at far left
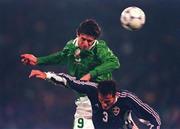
column 28, row 59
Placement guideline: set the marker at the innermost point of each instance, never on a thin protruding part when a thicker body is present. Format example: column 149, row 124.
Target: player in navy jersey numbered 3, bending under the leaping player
column 110, row 107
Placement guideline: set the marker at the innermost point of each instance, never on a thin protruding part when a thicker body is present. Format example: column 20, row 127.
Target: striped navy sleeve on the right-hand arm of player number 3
column 143, row 111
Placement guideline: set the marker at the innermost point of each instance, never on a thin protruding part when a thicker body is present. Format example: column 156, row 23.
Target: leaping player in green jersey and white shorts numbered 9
column 88, row 59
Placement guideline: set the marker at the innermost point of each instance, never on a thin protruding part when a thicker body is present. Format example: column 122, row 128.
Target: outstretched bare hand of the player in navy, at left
column 38, row 74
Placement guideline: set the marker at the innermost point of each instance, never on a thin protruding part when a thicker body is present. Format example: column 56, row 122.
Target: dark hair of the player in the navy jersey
column 107, row 87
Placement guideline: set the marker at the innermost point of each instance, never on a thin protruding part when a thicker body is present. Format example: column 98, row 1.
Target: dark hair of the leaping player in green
column 89, row 27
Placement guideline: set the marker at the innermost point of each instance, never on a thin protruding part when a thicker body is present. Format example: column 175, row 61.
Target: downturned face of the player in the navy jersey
column 106, row 101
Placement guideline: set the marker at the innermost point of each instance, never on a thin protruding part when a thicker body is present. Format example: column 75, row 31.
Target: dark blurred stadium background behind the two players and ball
column 150, row 57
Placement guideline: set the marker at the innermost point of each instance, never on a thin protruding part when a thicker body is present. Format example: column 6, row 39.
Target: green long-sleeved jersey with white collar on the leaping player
column 99, row 60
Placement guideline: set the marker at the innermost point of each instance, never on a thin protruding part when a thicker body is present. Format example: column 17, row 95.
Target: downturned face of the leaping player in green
column 85, row 41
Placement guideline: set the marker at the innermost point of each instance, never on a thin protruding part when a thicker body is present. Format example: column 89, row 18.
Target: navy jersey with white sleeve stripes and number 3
column 116, row 117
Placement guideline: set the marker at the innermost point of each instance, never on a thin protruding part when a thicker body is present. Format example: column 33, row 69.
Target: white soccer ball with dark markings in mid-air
column 132, row 18
